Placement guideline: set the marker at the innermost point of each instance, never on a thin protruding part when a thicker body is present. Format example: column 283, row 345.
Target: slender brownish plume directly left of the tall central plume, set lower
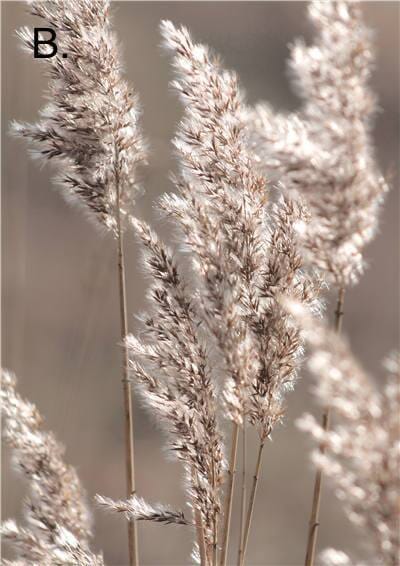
column 170, row 362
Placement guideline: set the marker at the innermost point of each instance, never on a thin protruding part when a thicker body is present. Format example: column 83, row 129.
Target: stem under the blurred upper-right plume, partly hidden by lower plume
column 316, row 503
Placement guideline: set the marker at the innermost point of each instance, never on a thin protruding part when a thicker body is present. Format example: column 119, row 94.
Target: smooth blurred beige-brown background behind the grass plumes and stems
column 60, row 325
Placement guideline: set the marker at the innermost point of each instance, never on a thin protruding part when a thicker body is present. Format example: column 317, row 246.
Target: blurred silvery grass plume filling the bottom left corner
column 58, row 523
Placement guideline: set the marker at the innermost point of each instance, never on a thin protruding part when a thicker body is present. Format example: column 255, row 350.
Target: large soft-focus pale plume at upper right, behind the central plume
column 325, row 150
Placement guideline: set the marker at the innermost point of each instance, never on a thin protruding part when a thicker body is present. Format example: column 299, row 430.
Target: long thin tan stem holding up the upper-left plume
column 128, row 408
